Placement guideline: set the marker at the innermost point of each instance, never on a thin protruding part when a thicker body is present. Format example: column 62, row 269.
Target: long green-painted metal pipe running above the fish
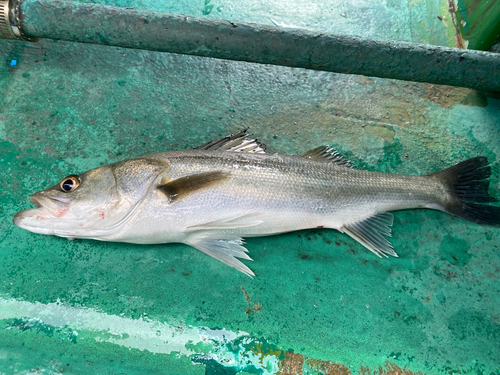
column 130, row 28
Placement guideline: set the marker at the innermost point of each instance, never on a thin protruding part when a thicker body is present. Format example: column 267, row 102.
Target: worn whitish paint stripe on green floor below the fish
column 142, row 334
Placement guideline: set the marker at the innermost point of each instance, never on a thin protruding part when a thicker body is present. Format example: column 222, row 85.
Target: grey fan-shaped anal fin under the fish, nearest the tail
column 370, row 233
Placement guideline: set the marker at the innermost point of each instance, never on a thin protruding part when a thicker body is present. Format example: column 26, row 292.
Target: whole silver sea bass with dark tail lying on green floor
column 212, row 196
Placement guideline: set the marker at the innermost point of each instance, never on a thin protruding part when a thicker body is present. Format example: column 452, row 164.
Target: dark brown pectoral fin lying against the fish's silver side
column 184, row 186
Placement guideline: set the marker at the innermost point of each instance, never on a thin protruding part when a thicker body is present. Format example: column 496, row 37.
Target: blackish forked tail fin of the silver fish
column 468, row 184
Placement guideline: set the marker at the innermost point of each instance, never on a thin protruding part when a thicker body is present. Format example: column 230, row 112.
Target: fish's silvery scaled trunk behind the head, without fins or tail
column 262, row 195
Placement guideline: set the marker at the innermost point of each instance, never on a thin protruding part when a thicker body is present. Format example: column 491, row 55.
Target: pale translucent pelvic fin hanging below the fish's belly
column 226, row 250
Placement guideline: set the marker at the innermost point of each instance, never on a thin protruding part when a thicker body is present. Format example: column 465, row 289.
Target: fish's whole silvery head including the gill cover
column 94, row 204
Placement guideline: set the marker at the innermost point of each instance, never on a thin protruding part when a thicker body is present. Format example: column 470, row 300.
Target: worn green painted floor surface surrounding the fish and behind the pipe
column 320, row 304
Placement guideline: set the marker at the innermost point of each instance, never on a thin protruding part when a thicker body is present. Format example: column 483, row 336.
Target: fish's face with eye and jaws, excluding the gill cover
column 72, row 207
